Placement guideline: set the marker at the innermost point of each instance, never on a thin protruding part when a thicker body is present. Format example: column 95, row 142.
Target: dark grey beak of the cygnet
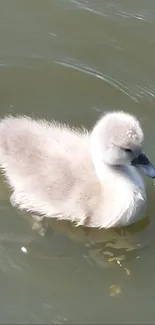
column 143, row 163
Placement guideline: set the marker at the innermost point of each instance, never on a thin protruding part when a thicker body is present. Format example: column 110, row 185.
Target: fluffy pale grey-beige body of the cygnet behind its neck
column 49, row 167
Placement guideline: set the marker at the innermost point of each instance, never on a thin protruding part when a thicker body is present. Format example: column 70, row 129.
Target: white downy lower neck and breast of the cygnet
column 127, row 193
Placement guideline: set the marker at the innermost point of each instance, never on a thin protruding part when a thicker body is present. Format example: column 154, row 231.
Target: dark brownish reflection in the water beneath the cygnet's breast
column 107, row 247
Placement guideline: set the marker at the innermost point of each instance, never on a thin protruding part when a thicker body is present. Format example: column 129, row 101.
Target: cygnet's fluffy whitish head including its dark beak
column 117, row 139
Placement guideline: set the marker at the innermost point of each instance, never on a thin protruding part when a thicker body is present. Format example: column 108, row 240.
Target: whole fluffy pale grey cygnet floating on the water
column 91, row 178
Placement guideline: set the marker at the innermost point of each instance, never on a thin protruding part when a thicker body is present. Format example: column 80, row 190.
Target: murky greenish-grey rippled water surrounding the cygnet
column 71, row 60
